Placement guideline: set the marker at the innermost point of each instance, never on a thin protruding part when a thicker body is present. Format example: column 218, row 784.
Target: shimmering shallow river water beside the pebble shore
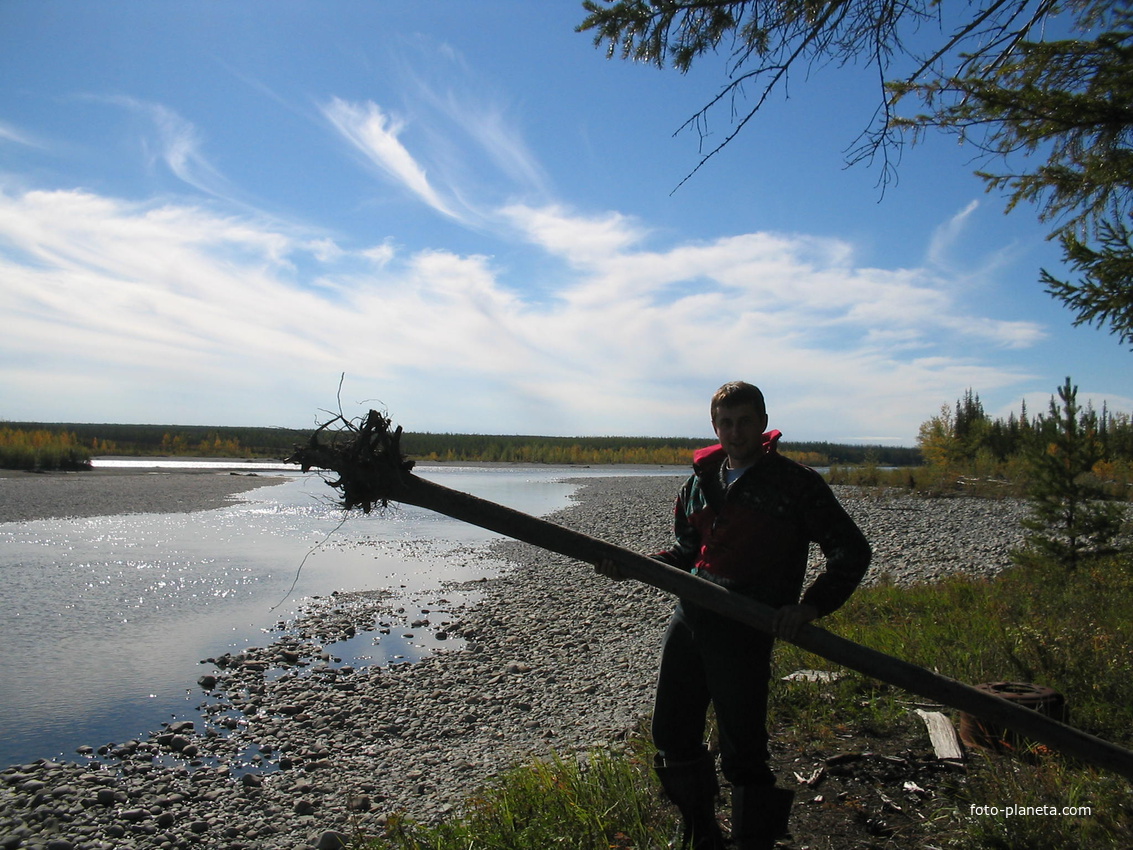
column 106, row 620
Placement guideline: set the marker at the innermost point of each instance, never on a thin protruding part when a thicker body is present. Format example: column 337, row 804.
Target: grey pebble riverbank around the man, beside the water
column 294, row 749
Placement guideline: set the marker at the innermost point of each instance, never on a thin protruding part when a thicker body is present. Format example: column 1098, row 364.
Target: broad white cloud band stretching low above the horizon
column 105, row 292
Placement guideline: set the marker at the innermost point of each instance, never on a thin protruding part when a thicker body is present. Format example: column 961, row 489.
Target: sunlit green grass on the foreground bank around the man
column 1074, row 633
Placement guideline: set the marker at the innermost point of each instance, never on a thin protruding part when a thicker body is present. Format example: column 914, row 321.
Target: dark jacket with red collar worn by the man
column 755, row 535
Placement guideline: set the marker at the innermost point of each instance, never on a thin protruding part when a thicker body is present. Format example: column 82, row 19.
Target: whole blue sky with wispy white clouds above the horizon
column 210, row 212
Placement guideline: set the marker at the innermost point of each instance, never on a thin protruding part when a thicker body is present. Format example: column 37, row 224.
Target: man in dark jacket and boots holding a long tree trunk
column 745, row 521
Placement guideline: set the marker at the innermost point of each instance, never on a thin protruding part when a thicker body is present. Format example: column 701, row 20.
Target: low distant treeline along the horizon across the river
column 266, row 443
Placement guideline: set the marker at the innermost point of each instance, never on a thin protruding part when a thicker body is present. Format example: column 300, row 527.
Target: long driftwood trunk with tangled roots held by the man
column 372, row 471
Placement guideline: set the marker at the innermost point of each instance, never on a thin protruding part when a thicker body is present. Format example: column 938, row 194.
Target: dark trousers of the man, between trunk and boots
column 709, row 659
